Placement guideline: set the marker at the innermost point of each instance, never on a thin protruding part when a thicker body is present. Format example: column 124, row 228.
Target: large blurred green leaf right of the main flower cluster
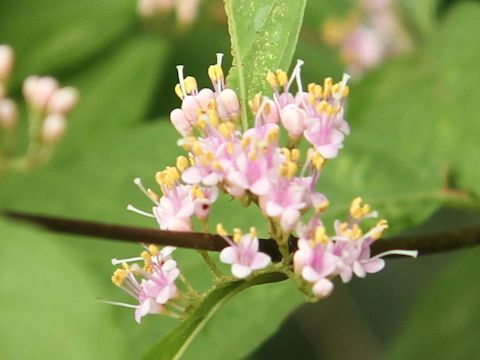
column 414, row 130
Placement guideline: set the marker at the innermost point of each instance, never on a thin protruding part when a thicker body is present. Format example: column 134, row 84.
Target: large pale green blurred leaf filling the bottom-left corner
column 48, row 306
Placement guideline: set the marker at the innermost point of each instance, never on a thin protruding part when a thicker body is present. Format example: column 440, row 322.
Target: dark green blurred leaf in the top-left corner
column 58, row 35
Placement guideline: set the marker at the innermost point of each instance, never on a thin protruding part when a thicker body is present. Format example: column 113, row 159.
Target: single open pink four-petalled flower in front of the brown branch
column 244, row 256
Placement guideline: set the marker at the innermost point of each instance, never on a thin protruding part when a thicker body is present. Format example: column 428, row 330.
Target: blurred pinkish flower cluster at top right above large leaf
column 371, row 33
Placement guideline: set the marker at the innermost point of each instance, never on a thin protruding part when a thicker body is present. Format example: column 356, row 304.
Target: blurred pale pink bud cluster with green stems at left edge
column 48, row 106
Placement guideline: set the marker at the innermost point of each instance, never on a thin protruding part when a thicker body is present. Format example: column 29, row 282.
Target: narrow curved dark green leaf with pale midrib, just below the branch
column 176, row 343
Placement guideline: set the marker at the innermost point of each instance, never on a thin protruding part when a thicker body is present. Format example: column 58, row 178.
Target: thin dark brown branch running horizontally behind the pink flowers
column 425, row 244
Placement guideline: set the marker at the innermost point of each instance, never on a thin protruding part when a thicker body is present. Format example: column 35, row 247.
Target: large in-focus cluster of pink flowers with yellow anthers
column 251, row 165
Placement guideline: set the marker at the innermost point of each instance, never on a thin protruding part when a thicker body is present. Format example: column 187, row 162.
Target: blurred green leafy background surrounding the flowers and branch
column 415, row 129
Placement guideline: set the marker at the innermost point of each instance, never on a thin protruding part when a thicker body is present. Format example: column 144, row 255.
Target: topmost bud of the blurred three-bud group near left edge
column 39, row 90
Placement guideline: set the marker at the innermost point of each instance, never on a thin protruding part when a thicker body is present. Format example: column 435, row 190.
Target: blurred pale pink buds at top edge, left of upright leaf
column 186, row 10
